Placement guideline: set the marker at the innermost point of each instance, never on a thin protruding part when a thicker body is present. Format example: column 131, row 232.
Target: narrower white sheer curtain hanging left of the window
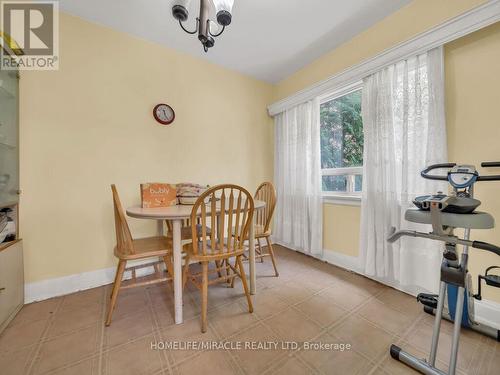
column 299, row 212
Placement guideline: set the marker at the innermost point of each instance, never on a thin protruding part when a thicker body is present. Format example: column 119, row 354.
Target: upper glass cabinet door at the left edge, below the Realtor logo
column 9, row 134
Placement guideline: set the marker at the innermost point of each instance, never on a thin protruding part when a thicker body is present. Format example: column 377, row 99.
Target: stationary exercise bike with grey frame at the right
column 445, row 213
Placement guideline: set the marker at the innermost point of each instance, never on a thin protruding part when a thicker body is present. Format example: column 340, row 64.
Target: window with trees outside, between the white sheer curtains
column 342, row 145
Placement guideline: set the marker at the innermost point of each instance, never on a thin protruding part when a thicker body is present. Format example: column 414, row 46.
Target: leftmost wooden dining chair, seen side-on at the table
column 129, row 249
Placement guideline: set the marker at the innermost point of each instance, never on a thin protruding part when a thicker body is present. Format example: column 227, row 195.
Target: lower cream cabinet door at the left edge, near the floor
column 11, row 281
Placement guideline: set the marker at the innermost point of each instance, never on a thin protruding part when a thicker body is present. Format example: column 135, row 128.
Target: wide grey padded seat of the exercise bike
column 475, row 220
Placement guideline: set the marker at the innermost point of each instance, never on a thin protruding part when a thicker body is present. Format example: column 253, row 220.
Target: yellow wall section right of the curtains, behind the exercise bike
column 472, row 80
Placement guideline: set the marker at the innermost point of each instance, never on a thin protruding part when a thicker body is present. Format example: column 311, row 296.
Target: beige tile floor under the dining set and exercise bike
column 310, row 301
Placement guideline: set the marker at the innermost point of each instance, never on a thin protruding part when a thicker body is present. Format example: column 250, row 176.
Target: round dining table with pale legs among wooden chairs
column 176, row 214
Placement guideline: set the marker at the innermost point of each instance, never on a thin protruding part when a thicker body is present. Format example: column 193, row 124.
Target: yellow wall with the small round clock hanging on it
column 89, row 125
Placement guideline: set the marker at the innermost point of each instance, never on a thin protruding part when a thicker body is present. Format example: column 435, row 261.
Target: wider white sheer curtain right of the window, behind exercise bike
column 404, row 127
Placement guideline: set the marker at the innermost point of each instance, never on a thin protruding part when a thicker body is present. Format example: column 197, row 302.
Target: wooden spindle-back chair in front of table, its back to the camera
column 227, row 202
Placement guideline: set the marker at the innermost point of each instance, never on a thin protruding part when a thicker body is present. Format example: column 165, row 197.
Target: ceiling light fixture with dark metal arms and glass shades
column 223, row 15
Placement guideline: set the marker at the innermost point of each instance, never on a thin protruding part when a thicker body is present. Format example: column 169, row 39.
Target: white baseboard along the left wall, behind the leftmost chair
column 60, row 286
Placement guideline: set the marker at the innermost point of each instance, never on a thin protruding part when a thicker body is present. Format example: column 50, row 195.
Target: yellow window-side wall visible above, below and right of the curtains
column 472, row 78
